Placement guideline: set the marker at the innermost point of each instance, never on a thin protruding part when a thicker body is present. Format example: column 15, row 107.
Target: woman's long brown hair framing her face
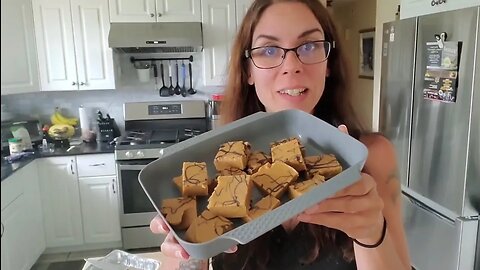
column 241, row 99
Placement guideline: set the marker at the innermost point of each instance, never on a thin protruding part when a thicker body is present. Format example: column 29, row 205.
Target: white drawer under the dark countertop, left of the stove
column 96, row 165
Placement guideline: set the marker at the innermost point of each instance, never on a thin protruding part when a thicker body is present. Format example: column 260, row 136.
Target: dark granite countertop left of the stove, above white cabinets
column 81, row 149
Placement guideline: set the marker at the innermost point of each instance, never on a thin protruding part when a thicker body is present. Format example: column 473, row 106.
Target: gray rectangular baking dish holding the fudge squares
column 259, row 130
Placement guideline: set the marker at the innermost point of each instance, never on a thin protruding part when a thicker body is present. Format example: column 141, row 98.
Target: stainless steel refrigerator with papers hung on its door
column 437, row 141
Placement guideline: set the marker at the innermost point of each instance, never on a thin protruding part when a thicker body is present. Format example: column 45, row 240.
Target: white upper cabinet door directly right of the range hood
column 219, row 28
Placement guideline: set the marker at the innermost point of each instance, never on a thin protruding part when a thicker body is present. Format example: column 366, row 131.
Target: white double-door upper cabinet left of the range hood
column 72, row 44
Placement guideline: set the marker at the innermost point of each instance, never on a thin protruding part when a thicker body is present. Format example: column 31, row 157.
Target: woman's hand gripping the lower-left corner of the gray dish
column 170, row 246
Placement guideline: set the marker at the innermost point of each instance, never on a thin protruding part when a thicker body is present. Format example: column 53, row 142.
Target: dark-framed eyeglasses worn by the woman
column 309, row 53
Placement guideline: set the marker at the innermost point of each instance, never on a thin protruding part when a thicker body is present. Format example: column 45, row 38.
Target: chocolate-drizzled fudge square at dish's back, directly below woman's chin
column 289, row 151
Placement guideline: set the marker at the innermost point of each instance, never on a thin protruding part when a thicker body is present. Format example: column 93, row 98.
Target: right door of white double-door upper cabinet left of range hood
column 94, row 58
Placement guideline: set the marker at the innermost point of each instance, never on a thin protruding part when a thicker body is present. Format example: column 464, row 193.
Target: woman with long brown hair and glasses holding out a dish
column 287, row 56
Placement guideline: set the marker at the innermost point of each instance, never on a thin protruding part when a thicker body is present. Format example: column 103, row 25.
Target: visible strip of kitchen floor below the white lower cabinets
column 75, row 260
